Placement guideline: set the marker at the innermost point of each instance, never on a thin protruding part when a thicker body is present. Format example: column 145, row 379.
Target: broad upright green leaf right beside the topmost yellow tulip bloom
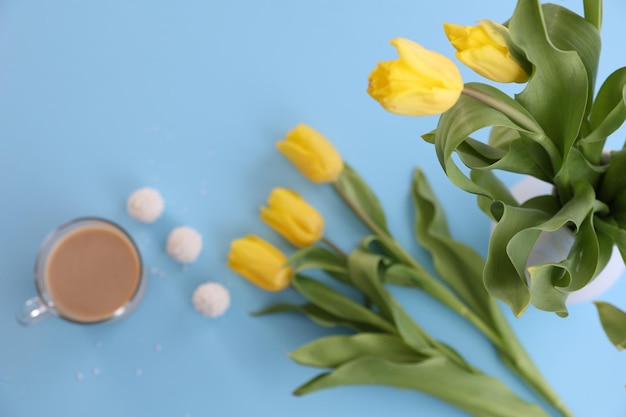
column 554, row 95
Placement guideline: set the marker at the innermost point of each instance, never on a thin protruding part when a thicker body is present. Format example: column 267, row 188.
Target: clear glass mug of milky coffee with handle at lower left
column 87, row 271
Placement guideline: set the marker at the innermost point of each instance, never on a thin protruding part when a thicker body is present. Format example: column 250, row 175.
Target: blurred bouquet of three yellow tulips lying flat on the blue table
column 388, row 347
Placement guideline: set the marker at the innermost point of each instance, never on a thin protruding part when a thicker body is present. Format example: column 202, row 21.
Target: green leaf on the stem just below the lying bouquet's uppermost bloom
column 359, row 195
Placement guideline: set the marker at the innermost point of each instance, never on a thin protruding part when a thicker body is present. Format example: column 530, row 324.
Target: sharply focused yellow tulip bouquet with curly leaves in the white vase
column 555, row 130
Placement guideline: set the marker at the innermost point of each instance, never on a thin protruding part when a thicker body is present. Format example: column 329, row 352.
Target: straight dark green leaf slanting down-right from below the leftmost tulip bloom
column 339, row 305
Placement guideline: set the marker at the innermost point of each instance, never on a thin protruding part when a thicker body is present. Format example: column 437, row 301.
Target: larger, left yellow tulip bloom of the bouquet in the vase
column 419, row 83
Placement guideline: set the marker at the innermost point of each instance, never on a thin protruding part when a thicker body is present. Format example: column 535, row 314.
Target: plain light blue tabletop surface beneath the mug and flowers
column 99, row 98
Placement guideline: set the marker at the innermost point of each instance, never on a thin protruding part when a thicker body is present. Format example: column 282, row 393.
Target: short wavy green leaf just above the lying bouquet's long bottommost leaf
column 333, row 351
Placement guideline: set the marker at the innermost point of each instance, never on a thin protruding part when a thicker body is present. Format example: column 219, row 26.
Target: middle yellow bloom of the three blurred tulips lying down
column 292, row 217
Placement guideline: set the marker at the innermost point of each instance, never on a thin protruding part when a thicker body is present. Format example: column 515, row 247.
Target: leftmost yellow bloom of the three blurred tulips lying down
column 260, row 263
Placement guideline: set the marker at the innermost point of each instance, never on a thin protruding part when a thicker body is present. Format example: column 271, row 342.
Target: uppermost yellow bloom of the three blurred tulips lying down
column 312, row 154
